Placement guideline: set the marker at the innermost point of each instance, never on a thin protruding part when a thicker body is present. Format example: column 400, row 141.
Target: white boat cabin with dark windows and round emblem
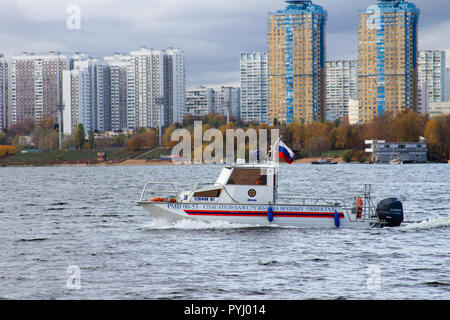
column 243, row 184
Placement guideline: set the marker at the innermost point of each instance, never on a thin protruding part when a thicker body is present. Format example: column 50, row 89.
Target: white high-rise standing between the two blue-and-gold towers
column 342, row 85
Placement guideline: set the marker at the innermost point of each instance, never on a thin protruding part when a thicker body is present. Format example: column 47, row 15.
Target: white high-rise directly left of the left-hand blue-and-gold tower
column 254, row 91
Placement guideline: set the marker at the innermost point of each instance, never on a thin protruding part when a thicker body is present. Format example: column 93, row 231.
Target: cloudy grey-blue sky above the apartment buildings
column 212, row 33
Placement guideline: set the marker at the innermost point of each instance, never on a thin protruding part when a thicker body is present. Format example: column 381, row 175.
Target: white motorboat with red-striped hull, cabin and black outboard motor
column 248, row 194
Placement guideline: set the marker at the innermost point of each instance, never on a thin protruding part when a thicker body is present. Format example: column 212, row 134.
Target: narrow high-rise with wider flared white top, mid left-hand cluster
column 118, row 65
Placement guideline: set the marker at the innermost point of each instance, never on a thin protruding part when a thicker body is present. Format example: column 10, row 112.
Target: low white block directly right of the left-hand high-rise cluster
column 199, row 100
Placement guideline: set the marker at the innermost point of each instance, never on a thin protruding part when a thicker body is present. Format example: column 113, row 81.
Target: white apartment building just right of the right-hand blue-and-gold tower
column 432, row 77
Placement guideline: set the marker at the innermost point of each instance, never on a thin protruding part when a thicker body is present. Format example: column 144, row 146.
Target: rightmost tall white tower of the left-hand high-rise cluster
column 174, row 85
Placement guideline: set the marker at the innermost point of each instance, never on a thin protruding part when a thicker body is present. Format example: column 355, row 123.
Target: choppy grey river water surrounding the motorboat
column 53, row 218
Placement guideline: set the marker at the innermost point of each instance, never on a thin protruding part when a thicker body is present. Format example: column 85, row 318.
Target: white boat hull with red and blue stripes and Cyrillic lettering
column 286, row 215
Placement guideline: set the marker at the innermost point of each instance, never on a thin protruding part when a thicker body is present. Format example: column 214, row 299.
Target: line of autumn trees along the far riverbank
column 307, row 139
